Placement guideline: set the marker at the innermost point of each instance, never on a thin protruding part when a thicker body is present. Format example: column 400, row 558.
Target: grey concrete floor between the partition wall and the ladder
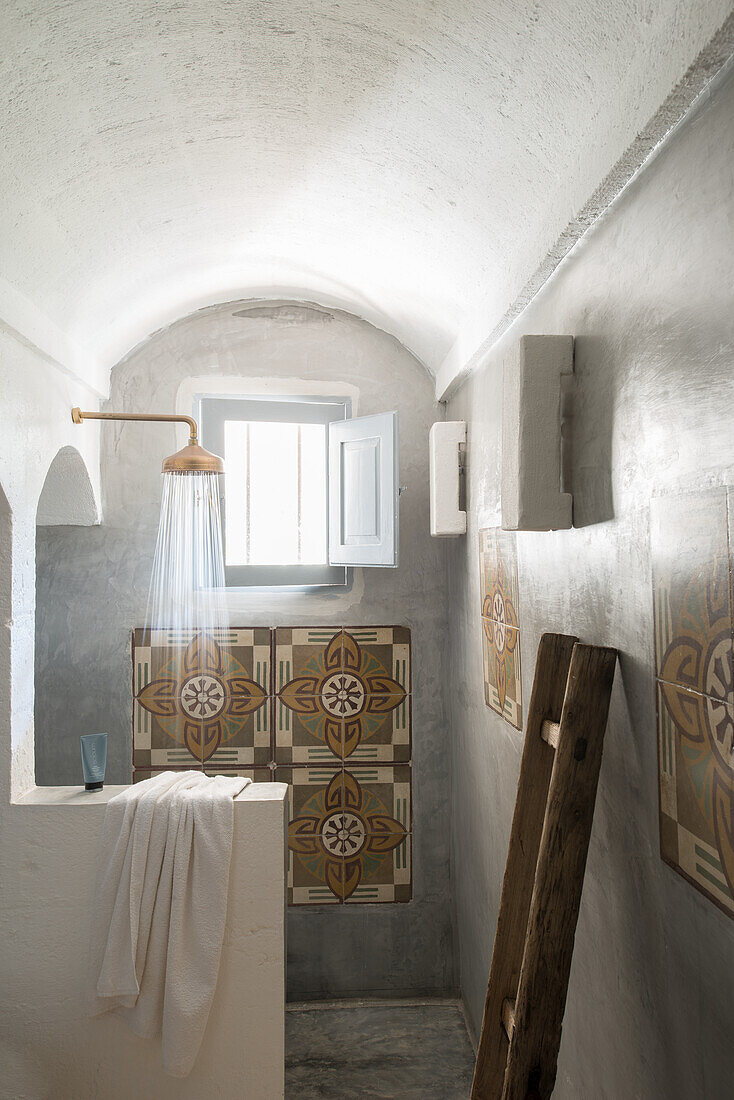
column 363, row 1051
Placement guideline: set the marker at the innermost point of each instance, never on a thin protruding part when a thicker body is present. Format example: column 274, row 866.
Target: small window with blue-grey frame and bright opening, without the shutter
column 277, row 487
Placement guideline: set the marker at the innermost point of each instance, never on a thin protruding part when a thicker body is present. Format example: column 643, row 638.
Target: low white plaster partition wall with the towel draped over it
column 50, row 1050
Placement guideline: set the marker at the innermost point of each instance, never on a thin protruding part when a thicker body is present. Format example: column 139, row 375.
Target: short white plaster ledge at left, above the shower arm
column 23, row 320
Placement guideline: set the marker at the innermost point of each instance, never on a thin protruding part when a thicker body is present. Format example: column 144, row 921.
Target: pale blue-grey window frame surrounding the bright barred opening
column 214, row 410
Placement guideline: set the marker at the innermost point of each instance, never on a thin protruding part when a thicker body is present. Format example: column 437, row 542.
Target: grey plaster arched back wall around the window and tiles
column 93, row 587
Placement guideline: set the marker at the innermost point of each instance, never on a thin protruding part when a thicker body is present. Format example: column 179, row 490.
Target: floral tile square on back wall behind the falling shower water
column 201, row 698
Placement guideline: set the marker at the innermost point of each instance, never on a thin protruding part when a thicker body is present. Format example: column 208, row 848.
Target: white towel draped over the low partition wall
column 161, row 905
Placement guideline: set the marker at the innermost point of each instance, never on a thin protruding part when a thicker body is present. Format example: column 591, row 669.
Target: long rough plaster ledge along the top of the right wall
column 715, row 63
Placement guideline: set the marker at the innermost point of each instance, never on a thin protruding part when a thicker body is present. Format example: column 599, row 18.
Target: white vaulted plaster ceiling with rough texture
column 412, row 161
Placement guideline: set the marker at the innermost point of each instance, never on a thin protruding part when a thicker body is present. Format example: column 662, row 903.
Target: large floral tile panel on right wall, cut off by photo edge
column 693, row 615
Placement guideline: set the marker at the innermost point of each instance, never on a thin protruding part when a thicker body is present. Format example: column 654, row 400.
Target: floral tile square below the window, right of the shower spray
column 348, row 699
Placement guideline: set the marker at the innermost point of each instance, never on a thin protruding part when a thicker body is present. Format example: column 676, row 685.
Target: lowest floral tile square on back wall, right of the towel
column 348, row 834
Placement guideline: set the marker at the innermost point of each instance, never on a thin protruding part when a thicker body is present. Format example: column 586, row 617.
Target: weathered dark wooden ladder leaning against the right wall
column 544, row 876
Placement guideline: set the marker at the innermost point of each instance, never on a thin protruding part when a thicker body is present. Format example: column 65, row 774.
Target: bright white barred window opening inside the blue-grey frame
column 276, row 493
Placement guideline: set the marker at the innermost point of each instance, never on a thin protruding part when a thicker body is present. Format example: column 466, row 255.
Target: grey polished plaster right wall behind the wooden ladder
column 649, row 298
